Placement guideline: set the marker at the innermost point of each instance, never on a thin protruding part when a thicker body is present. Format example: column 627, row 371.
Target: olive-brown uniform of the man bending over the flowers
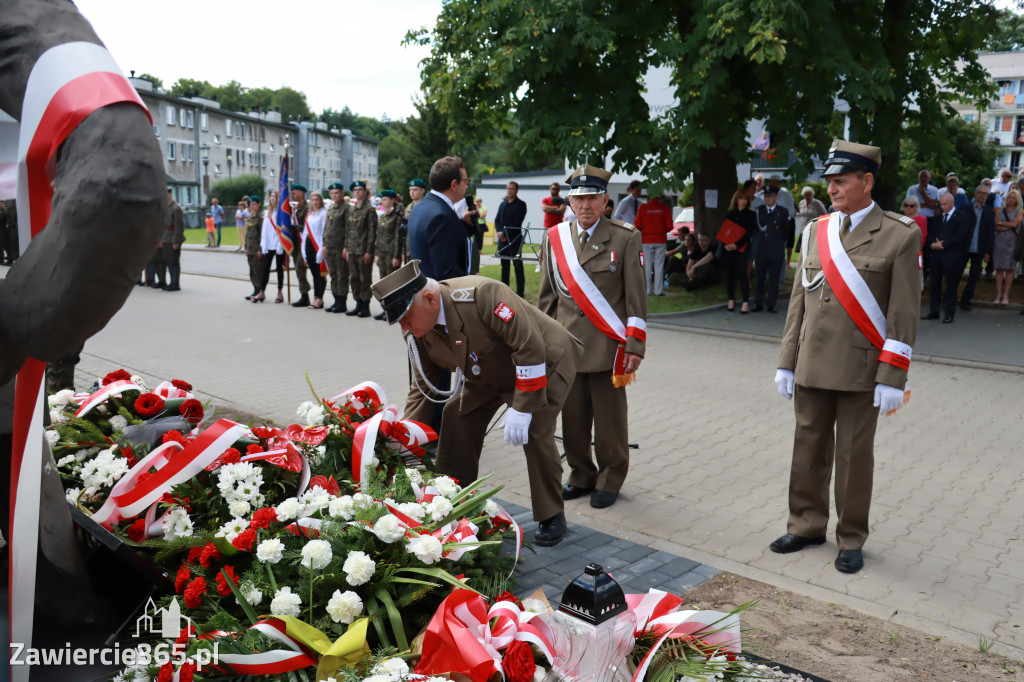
column 493, row 335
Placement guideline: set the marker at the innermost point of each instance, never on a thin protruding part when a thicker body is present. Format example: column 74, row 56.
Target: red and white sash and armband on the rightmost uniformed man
column 855, row 295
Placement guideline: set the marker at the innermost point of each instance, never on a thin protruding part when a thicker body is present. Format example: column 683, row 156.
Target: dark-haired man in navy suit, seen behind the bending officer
column 437, row 236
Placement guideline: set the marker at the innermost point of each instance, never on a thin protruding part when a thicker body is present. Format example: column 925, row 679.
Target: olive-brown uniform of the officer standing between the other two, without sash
column 612, row 260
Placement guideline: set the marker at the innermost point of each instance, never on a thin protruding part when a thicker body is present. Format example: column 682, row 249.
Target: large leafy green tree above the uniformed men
column 574, row 75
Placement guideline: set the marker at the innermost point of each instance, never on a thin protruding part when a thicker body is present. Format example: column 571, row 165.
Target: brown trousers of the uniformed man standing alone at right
column 833, row 429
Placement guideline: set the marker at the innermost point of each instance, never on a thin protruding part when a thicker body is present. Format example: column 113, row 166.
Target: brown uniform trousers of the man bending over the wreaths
column 462, row 436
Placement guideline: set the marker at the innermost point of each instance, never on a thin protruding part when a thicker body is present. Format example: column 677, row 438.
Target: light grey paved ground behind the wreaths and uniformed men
column 709, row 482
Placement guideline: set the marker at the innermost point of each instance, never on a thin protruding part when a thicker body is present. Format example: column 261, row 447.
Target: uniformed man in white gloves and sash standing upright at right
column 846, row 352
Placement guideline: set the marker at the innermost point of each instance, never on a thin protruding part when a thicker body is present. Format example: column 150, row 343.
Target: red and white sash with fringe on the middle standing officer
column 591, row 301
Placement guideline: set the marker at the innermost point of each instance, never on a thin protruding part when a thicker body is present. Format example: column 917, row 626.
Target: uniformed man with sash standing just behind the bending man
column 592, row 283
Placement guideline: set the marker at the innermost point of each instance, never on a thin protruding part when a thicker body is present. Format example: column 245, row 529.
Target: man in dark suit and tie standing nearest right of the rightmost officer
column 947, row 233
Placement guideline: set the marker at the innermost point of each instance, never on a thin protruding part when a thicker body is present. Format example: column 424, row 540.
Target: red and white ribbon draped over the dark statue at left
column 68, row 83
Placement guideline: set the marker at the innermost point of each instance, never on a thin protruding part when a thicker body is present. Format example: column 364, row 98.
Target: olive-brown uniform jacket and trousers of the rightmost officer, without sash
column 836, row 369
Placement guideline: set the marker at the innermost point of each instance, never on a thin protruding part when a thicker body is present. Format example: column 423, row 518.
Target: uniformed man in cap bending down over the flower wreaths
column 503, row 352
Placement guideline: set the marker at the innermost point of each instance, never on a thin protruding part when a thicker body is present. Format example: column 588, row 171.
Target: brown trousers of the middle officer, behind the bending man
column 594, row 402
